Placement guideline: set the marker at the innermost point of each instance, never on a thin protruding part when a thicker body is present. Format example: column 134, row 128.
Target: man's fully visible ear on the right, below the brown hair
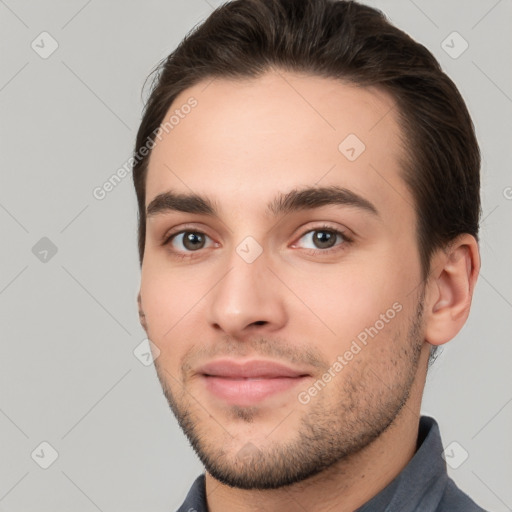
column 450, row 287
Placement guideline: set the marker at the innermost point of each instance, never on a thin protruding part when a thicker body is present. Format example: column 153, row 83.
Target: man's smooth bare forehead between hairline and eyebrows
column 244, row 139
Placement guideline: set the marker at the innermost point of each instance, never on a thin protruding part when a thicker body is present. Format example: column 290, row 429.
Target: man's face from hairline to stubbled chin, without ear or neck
column 306, row 255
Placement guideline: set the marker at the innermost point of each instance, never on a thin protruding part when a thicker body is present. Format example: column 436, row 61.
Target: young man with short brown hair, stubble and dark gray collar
column 308, row 189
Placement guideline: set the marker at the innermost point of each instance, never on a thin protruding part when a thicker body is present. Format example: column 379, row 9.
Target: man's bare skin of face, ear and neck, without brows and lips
column 255, row 138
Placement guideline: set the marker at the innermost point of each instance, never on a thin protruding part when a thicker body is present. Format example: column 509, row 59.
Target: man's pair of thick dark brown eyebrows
column 284, row 203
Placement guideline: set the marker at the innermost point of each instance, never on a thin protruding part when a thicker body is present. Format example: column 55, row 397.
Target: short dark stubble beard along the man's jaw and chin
column 328, row 433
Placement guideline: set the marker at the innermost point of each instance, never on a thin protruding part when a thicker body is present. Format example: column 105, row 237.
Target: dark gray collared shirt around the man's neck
column 423, row 485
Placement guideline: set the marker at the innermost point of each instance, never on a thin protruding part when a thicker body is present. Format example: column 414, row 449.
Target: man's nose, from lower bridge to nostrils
column 247, row 297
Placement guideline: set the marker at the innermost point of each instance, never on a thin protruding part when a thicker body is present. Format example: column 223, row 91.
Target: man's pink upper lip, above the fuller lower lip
column 250, row 370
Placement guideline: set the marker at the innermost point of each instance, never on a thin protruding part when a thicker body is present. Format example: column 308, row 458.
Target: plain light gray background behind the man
column 69, row 323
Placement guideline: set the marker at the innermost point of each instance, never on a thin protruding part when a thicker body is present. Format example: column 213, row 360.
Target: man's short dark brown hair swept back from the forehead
column 345, row 40
